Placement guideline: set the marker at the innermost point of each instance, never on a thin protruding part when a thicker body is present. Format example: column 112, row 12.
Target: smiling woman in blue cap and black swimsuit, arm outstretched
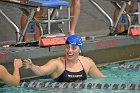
column 69, row 68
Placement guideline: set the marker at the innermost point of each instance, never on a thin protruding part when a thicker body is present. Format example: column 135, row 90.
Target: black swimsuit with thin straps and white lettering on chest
column 68, row 76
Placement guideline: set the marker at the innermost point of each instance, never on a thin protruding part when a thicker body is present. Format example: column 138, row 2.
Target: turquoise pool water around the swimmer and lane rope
column 127, row 72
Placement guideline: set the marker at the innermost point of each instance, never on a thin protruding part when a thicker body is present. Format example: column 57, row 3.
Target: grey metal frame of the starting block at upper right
column 113, row 25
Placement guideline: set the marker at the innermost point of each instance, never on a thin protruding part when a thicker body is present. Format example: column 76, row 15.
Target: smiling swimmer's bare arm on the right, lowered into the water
column 94, row 71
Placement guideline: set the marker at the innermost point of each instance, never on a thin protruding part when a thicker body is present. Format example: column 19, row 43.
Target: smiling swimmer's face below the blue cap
column 72, row 51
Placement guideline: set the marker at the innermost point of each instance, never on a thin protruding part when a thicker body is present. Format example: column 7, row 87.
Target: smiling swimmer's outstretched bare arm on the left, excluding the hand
column 46, row 69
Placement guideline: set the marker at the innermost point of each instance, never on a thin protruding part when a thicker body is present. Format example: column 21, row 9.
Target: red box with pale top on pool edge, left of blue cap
column 52, row 40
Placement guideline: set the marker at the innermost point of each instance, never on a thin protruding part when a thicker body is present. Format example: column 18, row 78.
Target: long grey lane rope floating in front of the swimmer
column 79, row 85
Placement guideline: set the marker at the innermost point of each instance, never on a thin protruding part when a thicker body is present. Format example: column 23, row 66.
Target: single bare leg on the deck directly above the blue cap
column 75, row 11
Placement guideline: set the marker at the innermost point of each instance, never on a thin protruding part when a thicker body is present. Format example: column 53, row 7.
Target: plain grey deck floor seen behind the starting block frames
column 91, row 21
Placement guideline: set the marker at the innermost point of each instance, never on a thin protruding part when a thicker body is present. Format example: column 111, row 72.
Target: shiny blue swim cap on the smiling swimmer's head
column 75, row 40
